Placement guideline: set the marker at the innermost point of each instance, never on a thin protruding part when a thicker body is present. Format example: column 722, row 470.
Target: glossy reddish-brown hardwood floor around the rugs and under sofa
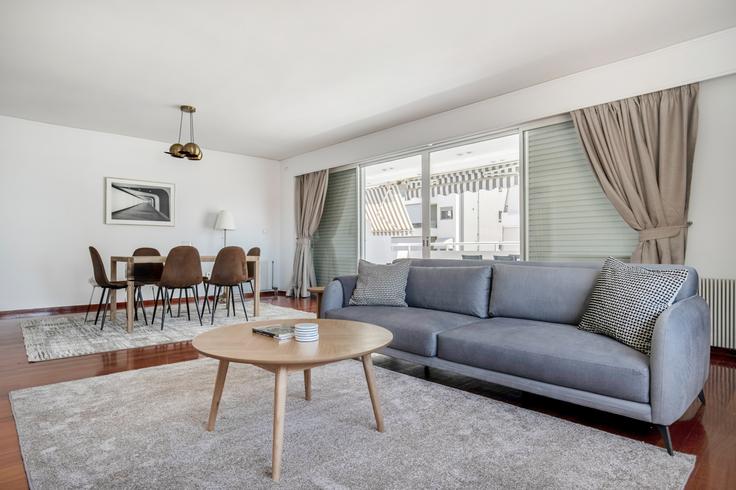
column 707, row 431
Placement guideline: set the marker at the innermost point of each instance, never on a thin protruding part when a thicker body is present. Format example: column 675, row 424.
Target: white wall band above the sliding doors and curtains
column 700, row 59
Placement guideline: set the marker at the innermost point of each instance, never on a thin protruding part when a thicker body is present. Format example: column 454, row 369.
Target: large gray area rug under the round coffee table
column 146, row 429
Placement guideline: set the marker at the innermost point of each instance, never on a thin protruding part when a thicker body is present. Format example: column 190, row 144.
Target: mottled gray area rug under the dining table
column 68, row 336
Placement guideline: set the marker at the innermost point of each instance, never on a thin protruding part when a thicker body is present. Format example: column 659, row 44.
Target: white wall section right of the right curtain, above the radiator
column 712, row 237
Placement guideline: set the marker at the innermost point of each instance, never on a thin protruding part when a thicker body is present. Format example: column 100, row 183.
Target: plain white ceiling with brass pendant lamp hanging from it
column 279, row 78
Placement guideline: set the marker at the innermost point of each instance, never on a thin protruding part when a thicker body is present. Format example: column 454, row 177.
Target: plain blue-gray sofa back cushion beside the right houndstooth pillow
column 549, row 294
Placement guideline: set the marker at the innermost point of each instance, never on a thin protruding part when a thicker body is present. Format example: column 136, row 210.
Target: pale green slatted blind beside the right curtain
column 569, row 217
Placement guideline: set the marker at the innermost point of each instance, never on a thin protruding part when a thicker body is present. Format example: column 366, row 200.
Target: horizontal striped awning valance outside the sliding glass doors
column 494, row 176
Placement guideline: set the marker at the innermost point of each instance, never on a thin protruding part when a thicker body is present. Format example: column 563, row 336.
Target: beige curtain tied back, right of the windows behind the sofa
column 641, row 150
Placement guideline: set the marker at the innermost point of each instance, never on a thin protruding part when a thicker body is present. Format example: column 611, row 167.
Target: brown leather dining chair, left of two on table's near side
column 183, row 271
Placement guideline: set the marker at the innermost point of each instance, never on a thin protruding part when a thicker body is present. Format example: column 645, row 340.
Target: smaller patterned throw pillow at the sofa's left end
column 383, row 285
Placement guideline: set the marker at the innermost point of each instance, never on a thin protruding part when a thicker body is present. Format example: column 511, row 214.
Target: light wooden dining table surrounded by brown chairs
column 130, row 260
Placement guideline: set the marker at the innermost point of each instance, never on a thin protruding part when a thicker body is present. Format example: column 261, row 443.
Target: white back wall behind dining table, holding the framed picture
column 52, row 205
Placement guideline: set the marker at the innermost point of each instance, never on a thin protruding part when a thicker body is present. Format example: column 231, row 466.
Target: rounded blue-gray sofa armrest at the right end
column 680, row 358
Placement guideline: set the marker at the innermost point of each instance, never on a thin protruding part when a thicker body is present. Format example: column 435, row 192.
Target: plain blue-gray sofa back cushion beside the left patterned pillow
column 457, row 289
